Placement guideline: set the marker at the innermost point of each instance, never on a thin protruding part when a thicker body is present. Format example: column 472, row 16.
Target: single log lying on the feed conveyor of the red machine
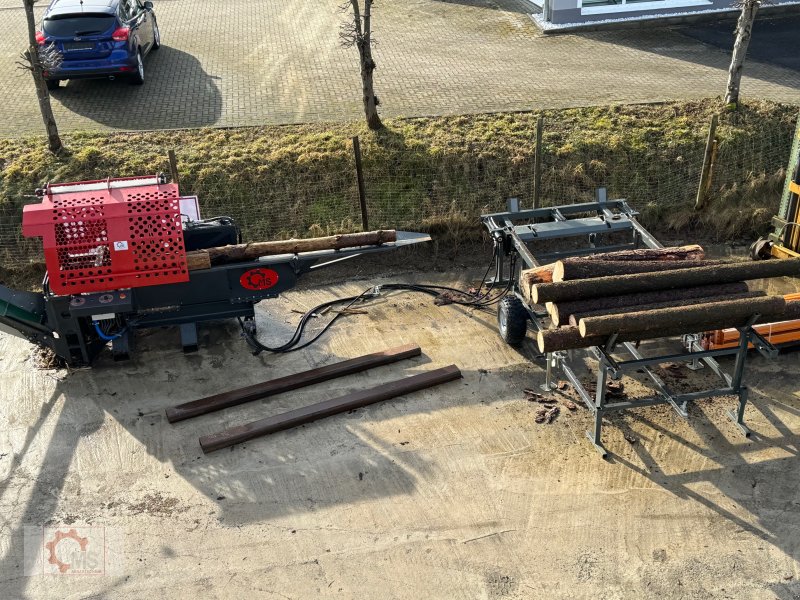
column 243, row 252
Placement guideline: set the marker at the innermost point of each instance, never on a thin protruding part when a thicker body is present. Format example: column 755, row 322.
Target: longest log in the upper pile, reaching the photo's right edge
column 599, row 287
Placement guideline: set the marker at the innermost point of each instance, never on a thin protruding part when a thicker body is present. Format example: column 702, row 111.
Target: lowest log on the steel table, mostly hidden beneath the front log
column 569, row 338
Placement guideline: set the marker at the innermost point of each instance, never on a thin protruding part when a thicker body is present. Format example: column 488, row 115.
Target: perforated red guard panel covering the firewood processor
column 107, row 239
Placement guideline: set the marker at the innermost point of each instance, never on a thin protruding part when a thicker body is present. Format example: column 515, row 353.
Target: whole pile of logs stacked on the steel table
column 652, row 293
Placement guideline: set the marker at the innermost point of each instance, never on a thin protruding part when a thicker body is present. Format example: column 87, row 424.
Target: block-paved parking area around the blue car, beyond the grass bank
column 240, row 63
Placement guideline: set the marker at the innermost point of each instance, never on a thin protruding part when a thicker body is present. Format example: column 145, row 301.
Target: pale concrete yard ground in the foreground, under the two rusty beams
column 453, row 492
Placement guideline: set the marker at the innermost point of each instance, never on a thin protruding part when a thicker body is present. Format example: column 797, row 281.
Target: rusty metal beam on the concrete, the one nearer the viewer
column 300, row 416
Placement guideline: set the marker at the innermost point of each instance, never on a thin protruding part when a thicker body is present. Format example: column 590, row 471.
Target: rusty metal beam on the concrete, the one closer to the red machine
column 210, row 404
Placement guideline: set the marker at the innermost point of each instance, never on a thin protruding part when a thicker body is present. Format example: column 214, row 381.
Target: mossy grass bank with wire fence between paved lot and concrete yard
column 439, row 175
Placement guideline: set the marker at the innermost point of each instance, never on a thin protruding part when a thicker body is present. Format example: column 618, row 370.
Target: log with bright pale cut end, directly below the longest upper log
column 560, row 313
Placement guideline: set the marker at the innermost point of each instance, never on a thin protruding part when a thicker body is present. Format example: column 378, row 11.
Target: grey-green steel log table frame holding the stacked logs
column 583, row 230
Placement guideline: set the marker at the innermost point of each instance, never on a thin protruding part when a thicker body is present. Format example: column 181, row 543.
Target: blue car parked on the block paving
column 99, row 38
